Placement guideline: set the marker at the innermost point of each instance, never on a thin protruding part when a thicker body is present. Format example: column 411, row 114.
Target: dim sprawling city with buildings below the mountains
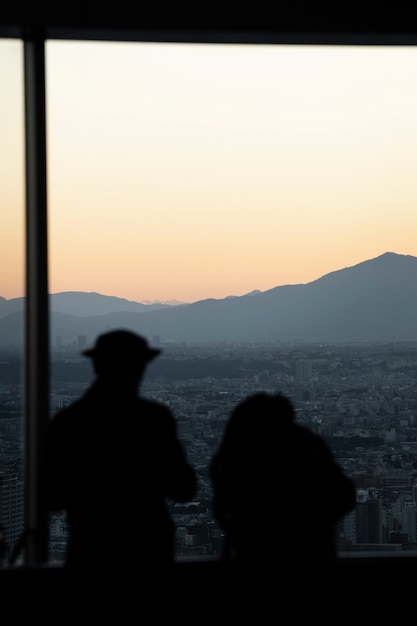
column 361, row 397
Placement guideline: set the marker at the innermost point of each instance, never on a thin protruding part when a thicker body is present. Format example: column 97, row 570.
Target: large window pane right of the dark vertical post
column 179, row 173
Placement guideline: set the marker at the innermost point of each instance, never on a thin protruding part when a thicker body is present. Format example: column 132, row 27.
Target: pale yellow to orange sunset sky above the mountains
column 192, row 171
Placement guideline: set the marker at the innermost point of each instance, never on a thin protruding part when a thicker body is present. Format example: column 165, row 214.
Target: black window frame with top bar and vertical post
column 390, row 30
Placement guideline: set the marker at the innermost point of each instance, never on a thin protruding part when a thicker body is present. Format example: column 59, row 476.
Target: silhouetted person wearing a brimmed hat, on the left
column 113, row 461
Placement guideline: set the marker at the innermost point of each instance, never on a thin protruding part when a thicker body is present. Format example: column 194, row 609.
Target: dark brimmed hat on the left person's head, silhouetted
column 120, row 347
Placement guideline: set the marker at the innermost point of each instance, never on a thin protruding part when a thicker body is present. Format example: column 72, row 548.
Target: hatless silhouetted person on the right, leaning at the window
column 278, row 494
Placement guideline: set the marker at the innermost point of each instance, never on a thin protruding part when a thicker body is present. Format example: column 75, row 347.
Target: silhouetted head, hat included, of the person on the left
column 121, row 354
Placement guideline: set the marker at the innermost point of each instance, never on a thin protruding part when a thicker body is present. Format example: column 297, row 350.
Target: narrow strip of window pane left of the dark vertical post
column 12, row 292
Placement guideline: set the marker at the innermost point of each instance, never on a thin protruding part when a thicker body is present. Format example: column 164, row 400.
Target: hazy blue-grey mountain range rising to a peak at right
column 375, row 300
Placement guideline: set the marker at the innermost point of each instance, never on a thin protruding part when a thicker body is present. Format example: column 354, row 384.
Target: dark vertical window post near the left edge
column 36, row 313
